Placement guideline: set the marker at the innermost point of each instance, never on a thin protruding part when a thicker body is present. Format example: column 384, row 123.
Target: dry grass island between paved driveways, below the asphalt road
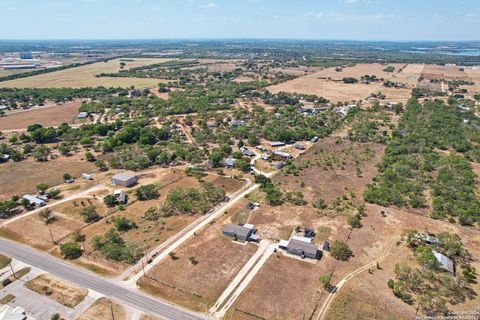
column 56, row 289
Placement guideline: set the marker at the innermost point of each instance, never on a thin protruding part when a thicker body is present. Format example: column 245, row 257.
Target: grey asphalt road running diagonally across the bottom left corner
column 71, row 273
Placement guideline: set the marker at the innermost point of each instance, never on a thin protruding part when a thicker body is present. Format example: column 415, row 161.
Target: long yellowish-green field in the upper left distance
column 84, row 76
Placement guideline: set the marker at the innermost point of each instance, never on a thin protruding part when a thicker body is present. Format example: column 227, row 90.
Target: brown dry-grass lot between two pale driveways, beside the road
column 198, row 286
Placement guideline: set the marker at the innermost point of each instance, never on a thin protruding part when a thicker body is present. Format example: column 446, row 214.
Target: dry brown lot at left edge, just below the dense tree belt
column 33, row 173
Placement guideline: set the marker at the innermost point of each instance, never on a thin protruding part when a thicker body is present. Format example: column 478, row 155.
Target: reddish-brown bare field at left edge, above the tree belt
column 47, row 116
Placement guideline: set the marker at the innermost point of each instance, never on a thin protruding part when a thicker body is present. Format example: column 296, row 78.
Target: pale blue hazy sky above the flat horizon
column 253, row 19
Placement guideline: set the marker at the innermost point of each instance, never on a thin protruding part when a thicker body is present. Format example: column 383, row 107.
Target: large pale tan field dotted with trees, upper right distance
column 327, row 82
